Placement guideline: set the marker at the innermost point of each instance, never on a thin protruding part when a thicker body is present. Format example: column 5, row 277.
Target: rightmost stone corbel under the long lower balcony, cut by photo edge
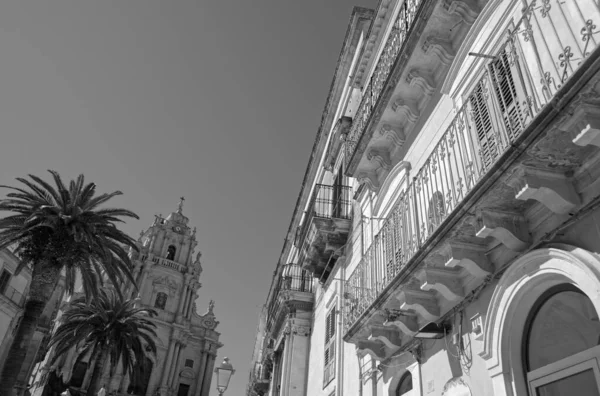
column 584, row 124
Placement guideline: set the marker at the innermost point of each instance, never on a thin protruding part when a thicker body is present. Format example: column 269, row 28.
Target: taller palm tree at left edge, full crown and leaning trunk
column 54, row 229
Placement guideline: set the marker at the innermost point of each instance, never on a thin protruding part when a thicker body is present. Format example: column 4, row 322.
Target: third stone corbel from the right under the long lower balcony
column 510, row 229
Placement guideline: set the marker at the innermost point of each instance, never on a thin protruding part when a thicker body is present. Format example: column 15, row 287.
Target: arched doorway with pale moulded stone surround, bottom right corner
column 541, row 330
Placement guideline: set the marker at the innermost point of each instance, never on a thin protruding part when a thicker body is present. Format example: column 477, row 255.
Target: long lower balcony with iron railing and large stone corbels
column 523, row 137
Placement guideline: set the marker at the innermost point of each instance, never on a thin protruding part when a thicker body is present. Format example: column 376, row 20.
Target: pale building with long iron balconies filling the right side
column 449, row 212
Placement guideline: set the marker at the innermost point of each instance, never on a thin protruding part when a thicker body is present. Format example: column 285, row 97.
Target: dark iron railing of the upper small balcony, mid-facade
column 327, row 202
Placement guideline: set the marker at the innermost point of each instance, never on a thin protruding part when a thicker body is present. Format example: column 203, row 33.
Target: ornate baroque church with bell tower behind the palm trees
column 167, row 273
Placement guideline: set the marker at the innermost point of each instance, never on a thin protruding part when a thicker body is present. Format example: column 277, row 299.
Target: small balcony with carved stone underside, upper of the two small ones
column 325, row 229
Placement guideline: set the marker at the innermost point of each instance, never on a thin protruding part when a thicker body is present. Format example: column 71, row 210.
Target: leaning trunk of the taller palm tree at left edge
column 44, row 280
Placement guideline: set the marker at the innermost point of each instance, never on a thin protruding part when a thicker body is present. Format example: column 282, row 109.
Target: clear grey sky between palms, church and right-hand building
column 217, row 101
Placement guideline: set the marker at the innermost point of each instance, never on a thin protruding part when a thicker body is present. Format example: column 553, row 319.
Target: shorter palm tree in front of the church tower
column 110, row 330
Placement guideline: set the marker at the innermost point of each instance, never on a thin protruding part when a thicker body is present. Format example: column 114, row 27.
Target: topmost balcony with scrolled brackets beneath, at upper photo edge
column 405, row 84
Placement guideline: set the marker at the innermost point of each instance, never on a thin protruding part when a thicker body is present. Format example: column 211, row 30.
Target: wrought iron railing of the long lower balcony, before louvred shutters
column 541, row 52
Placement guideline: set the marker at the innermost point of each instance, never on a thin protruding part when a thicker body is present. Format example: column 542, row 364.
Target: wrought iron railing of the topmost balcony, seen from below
column 392, row 48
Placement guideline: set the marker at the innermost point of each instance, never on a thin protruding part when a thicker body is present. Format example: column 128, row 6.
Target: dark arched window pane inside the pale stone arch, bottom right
column 561, row 344
